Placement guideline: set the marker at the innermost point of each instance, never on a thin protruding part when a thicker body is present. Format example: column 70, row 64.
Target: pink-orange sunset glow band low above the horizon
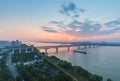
column 27, row 32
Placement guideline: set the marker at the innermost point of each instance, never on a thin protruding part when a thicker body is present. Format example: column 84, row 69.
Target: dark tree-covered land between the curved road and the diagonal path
column 40, row 70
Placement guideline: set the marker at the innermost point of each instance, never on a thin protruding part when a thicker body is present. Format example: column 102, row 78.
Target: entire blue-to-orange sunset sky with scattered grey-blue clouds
column 60, row 20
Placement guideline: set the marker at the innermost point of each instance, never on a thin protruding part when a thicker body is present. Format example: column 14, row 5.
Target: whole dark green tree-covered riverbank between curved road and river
column 50, row 67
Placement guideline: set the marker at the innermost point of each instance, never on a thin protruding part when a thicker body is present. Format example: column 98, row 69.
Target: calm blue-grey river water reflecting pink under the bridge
column 104, row 60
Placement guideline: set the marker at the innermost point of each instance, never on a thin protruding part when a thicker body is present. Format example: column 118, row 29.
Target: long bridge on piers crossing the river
column 84, row 45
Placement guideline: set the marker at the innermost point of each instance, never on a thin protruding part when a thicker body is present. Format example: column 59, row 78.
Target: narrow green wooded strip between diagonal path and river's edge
column 76, row 71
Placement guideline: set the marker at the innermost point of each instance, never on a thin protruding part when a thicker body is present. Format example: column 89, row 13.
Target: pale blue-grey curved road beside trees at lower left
column 10, row 66
